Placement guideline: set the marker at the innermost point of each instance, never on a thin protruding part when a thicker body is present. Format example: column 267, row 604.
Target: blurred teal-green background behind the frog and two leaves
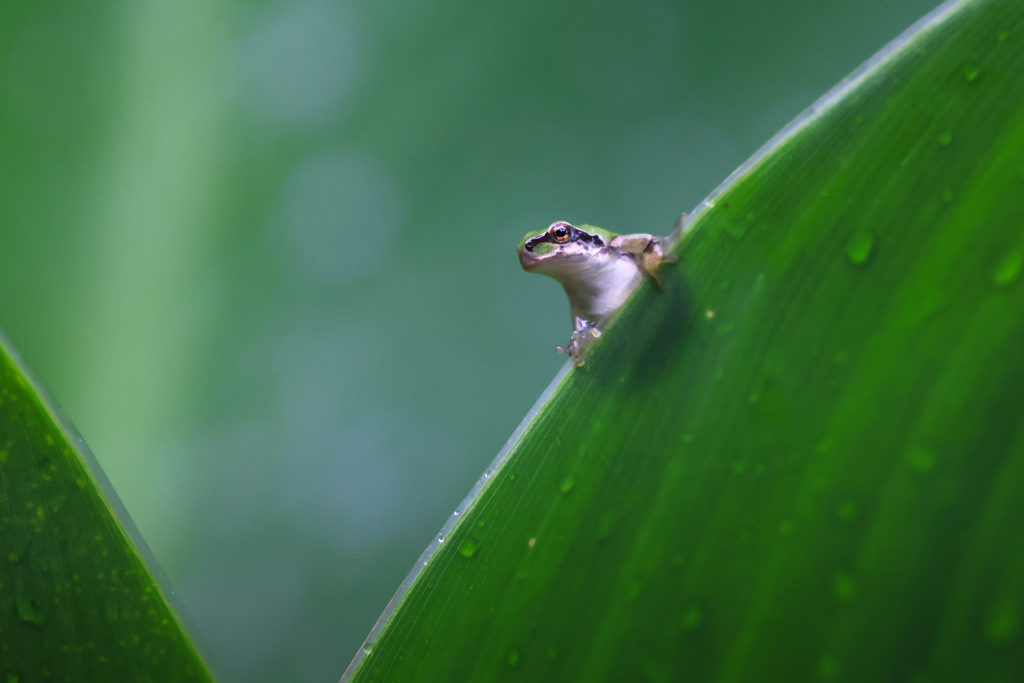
column 265, row 253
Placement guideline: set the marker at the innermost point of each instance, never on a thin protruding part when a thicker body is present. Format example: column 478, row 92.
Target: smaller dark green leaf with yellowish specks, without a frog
column 78, row 602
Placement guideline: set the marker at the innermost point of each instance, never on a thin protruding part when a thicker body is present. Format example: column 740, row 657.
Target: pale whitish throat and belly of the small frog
column 602, row 285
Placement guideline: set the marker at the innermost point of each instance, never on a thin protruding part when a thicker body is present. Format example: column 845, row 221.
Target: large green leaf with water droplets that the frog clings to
column 804, row 459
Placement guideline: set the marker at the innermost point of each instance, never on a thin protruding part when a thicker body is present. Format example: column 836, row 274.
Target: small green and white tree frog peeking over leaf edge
column 600, row 270
